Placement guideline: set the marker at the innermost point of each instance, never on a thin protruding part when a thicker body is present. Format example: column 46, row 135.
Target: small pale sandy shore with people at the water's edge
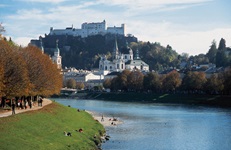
column 107, row 120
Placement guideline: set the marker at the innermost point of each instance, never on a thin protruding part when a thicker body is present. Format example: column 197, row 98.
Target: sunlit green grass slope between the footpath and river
column 43, row 129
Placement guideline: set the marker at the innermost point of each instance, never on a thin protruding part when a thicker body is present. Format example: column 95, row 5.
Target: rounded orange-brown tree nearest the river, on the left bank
column 45, row 78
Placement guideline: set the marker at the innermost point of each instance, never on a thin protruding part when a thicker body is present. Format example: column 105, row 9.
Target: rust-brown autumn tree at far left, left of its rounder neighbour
column 15, row 76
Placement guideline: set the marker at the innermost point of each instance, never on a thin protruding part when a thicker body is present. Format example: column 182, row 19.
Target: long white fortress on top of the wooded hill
column 88, row 29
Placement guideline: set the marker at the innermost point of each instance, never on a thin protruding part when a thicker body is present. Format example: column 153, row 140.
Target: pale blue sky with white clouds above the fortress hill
column 187, row 25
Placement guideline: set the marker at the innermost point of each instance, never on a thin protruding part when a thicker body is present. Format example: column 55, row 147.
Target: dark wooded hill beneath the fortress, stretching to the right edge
column 84, row 53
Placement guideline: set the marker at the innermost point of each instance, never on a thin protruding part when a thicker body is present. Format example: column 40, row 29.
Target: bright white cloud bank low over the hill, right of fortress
column 181, row 38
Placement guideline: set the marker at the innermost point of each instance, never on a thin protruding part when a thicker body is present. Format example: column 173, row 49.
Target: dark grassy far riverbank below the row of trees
column 195, row 99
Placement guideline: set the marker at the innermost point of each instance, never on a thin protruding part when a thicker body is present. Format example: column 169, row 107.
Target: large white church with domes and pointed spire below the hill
column 121, row 62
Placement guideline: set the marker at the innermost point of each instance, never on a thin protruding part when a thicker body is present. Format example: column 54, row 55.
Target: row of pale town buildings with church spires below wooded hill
column 108, row 67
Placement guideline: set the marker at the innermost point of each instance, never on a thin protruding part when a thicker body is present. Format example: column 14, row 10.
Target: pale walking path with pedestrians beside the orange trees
column 17, row 111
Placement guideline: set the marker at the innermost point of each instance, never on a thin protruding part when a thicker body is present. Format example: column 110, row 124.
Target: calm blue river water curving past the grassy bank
column 162, row 126
